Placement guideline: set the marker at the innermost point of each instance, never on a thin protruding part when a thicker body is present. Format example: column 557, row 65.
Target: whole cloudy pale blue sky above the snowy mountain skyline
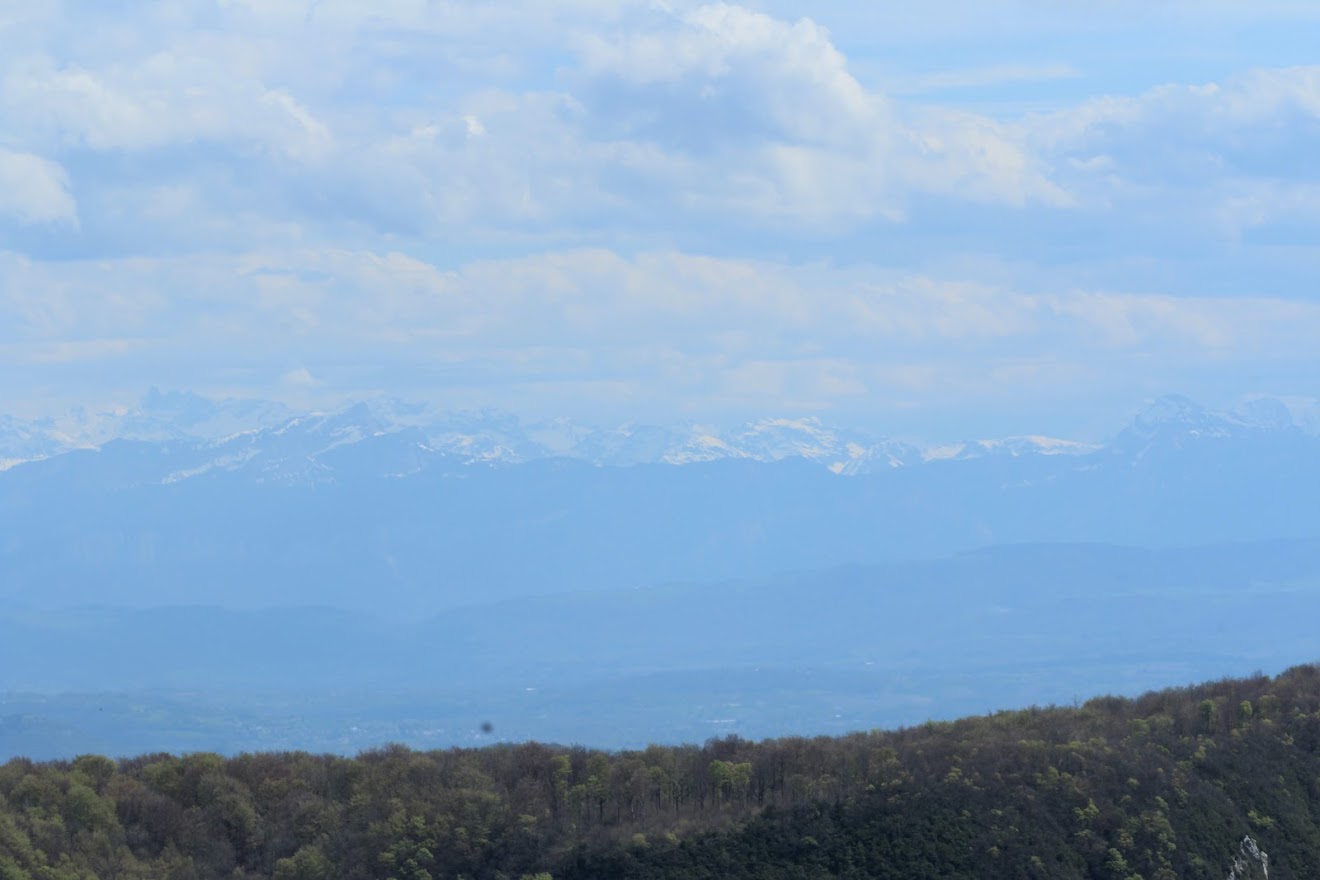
column 930, row 220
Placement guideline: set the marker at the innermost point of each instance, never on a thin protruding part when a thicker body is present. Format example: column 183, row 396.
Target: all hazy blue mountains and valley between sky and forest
column 185, row 572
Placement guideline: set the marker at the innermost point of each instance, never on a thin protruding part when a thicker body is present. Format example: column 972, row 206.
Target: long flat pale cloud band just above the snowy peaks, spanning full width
column 684, row 333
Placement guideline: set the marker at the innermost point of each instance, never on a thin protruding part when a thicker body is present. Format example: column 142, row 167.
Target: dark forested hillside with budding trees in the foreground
column 1166, row 786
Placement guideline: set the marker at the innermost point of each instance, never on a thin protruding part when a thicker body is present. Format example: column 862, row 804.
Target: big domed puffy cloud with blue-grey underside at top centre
column 775, row 104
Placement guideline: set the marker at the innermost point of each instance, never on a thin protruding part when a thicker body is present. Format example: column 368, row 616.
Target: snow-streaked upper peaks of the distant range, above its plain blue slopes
column 389, row 437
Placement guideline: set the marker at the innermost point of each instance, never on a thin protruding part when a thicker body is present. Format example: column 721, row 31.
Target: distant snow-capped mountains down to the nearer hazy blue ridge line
column 414, row 507
